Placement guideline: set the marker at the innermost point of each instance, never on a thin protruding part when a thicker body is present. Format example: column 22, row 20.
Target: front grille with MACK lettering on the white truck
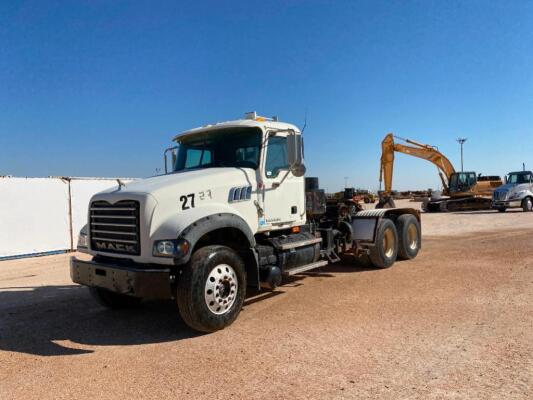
column 114, row 228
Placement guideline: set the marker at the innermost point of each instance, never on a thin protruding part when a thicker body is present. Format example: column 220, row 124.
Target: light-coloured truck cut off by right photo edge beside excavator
column 517, row 192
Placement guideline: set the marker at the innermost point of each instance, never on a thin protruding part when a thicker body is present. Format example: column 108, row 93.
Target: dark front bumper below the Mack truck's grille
column 147, row 283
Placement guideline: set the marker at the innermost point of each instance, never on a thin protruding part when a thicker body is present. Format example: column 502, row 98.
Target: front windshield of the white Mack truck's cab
column 235, row 147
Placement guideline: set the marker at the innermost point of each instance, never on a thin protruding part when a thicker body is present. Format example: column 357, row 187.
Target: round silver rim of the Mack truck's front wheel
column 221, row 289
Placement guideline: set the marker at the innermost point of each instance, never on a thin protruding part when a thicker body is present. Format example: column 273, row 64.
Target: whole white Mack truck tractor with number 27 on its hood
column 234, row 211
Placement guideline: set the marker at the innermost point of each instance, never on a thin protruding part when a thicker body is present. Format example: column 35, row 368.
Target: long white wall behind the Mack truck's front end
column 39, row 215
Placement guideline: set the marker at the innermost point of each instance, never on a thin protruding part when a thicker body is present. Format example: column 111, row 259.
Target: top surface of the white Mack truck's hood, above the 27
column 186, row 181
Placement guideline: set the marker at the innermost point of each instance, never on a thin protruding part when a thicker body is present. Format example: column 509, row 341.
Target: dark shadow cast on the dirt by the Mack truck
column 34, row 319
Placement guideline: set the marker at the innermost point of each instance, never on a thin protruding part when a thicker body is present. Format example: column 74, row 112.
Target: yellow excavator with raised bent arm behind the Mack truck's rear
column 464, row 191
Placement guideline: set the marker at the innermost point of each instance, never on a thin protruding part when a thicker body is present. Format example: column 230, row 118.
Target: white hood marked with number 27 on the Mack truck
column 170, row 203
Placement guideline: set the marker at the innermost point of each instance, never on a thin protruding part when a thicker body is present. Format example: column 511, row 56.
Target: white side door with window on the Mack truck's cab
column 283, row 193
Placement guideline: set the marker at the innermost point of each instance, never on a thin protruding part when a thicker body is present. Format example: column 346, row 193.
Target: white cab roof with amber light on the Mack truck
column 251, row 120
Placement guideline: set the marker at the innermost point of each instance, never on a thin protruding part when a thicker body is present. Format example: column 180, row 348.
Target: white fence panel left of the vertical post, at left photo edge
column 33, row 215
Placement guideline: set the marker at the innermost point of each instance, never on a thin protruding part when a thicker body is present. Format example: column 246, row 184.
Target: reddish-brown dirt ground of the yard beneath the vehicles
column 455, row 323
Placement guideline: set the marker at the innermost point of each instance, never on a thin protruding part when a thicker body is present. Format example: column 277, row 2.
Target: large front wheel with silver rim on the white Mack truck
column 212, row 288
